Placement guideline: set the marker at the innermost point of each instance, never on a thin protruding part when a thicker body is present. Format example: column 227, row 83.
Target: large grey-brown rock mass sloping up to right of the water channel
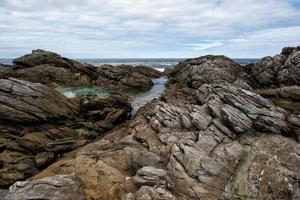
column 205, row 138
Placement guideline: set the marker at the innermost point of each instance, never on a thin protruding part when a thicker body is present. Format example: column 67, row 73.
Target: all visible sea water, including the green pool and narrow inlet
column 138, row 97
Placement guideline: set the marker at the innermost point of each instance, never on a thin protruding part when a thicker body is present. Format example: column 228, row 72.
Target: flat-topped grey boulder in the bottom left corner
column 53, row 188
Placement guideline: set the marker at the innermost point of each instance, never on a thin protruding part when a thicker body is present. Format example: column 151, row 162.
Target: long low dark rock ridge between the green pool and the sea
column 54, row 70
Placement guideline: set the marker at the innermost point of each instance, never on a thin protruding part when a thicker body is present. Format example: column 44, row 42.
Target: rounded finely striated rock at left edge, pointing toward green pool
column 24, row 102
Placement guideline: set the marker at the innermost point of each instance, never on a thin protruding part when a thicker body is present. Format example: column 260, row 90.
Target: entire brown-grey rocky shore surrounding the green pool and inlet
column 219, row 131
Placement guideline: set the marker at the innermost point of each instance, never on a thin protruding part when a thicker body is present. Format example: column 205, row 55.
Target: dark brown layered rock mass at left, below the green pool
column 38, row 125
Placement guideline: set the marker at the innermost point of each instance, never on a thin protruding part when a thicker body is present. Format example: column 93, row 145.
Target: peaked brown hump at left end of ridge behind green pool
column 52, row 69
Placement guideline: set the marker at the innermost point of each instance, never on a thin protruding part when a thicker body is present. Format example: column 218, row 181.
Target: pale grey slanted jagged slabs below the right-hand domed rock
column 265, row 116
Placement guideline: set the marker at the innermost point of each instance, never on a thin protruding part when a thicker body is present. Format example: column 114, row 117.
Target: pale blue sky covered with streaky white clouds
column 149, row 28
